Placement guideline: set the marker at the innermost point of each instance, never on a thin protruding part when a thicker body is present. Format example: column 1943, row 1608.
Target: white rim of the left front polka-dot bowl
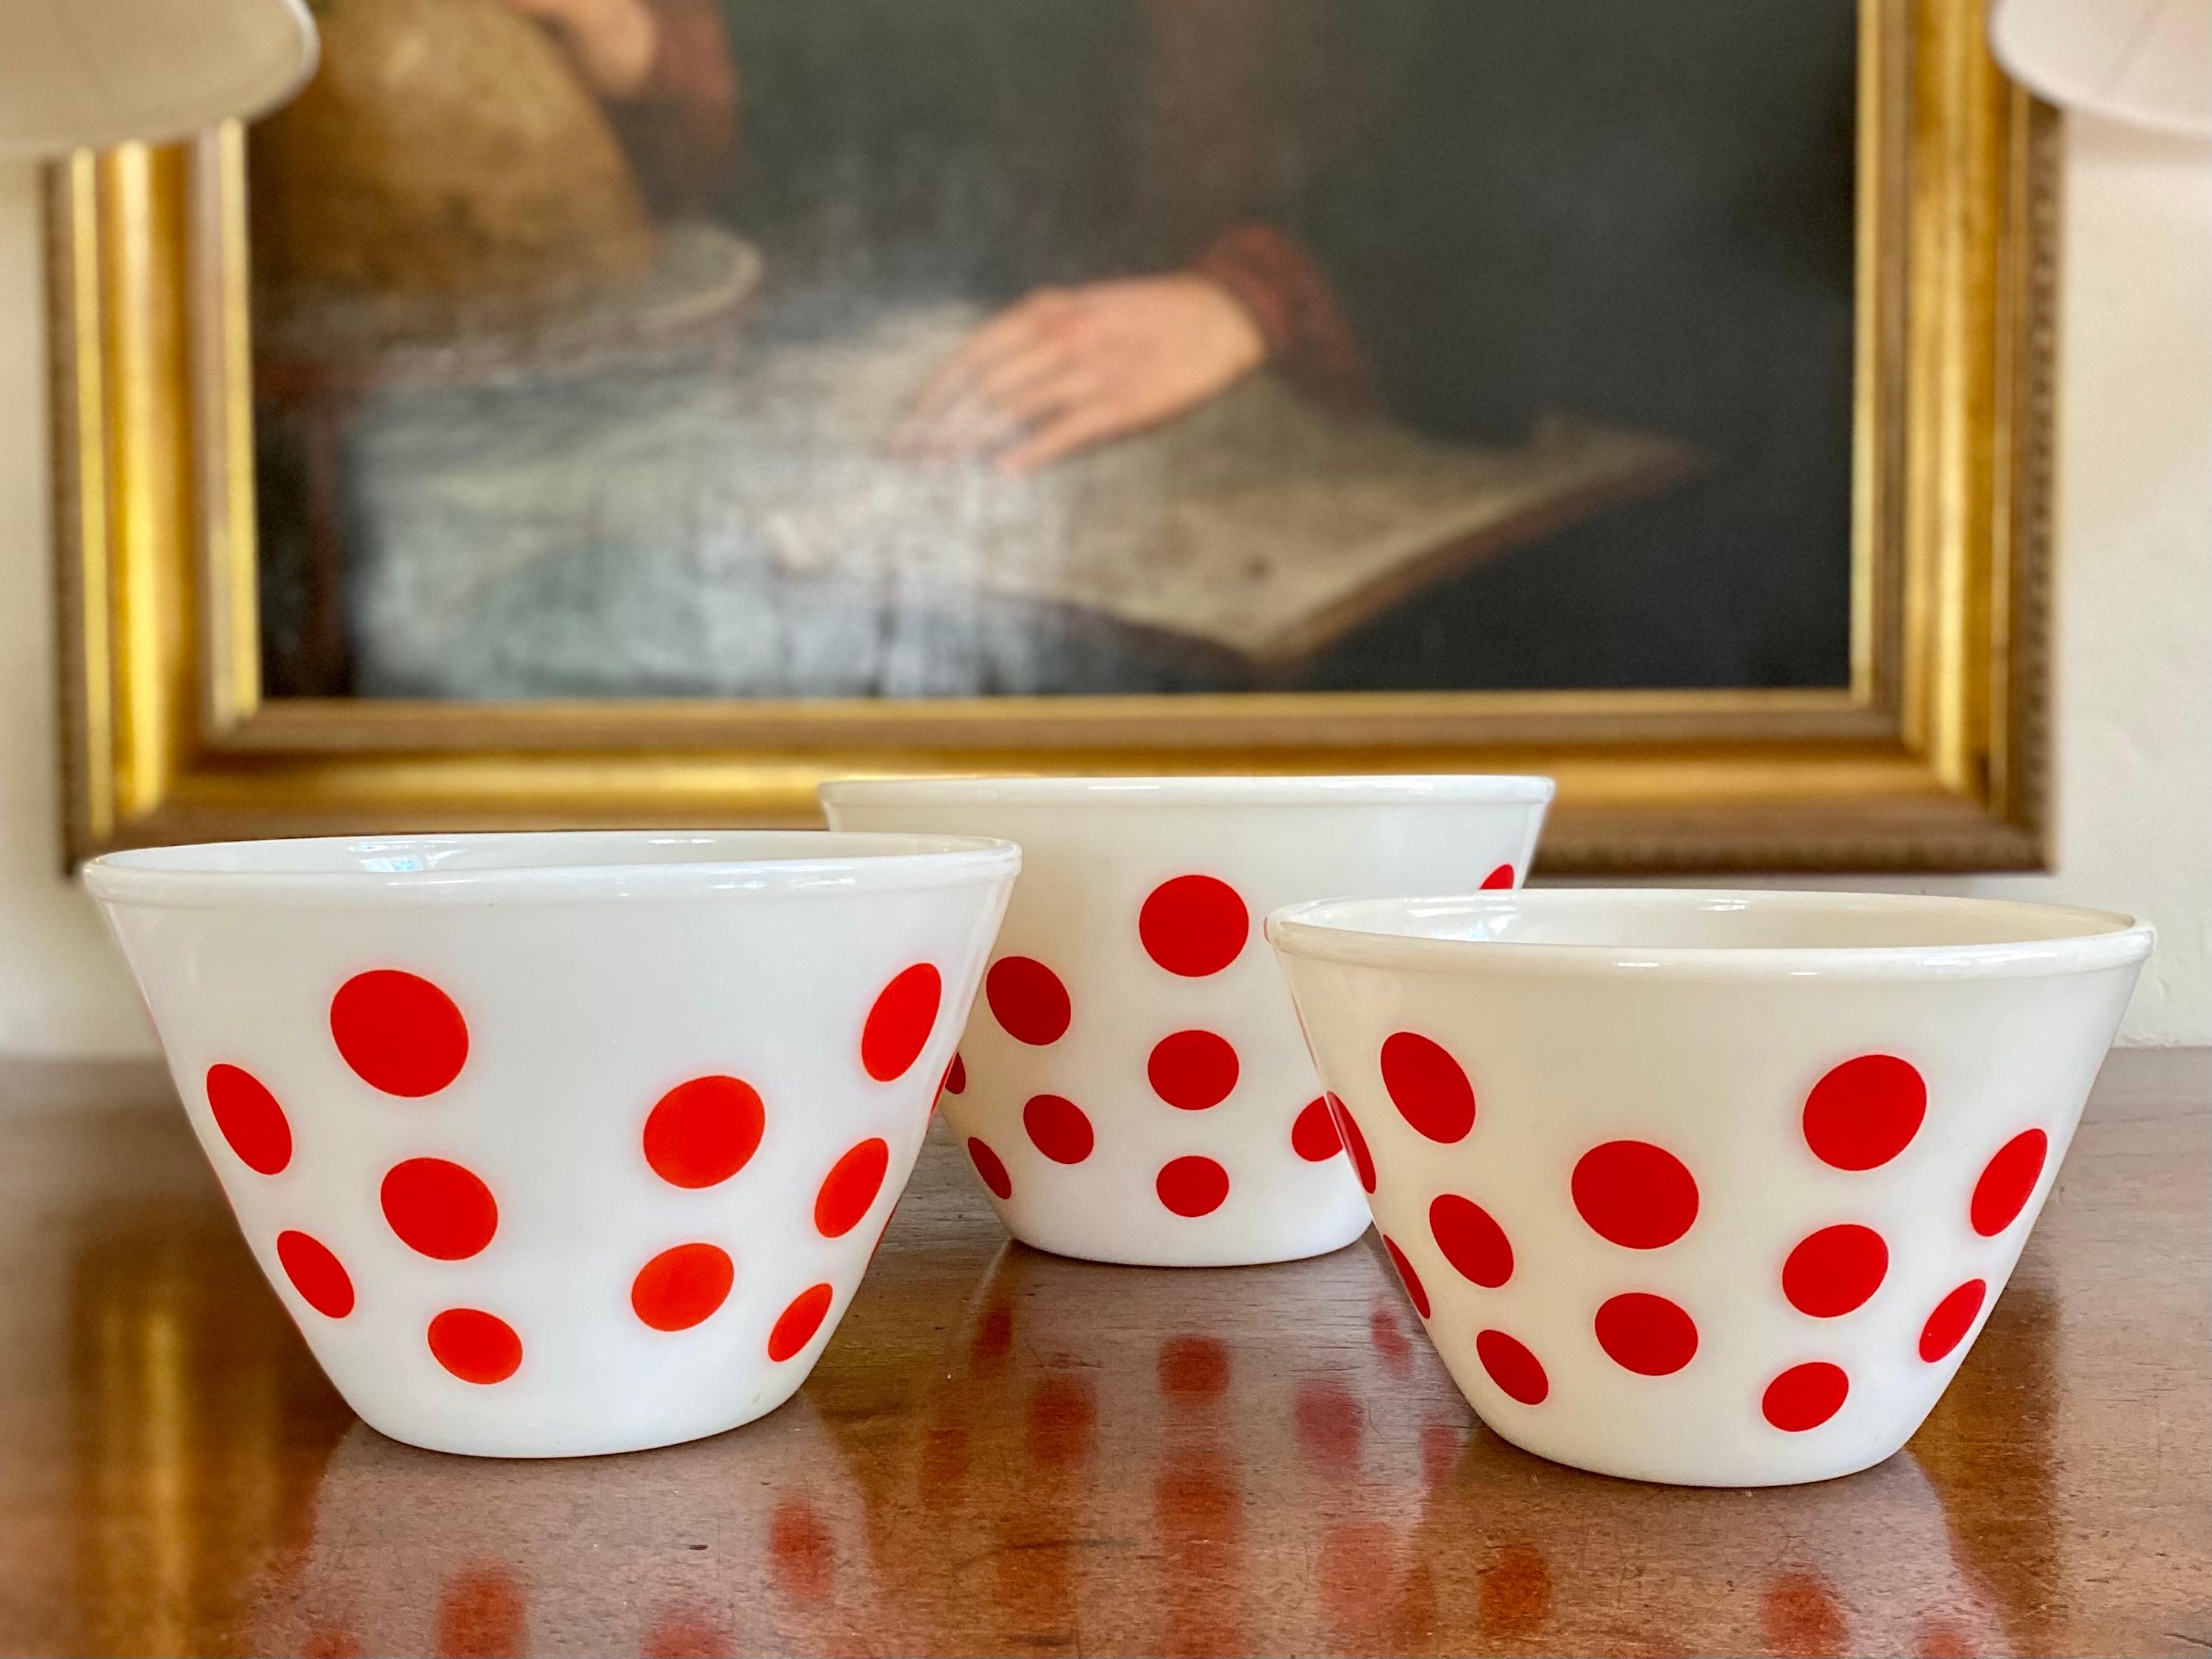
column 209, row 875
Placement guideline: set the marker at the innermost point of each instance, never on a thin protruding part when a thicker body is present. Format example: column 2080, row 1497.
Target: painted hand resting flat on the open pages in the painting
column 1072, row 368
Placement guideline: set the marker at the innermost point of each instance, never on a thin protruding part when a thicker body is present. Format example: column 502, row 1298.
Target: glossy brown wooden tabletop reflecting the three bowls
column 1005, row 1452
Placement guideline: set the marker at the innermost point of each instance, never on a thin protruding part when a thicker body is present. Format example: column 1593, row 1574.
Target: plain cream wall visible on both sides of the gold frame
column 2133, row 651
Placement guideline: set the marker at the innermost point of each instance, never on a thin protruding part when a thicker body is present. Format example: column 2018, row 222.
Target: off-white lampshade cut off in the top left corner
column 105, row 72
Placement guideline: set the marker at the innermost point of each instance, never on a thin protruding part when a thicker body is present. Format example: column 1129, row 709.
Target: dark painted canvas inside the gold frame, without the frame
column 1008, row 348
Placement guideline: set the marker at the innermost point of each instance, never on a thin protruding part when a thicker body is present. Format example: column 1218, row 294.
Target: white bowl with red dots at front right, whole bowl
column 1707, row 1189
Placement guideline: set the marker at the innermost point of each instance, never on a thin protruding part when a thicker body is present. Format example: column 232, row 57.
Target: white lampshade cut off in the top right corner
column 2147, row 63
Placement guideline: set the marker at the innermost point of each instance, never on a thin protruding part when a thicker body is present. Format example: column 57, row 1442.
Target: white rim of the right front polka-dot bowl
column 1344, row 930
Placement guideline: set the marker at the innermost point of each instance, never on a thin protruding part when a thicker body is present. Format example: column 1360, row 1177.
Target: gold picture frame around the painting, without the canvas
column 1930, row 760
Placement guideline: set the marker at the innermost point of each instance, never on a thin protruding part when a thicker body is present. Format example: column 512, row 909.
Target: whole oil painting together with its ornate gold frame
column 640, row 410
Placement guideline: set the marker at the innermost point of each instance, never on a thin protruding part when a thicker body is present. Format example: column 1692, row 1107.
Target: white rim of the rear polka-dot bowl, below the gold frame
column 1196, row 791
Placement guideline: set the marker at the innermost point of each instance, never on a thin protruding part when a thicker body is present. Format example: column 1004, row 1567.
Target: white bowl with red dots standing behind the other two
column 1134, row 1085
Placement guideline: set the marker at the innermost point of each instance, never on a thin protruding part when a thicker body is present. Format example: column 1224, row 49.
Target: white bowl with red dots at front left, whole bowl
column 561, row 1142
